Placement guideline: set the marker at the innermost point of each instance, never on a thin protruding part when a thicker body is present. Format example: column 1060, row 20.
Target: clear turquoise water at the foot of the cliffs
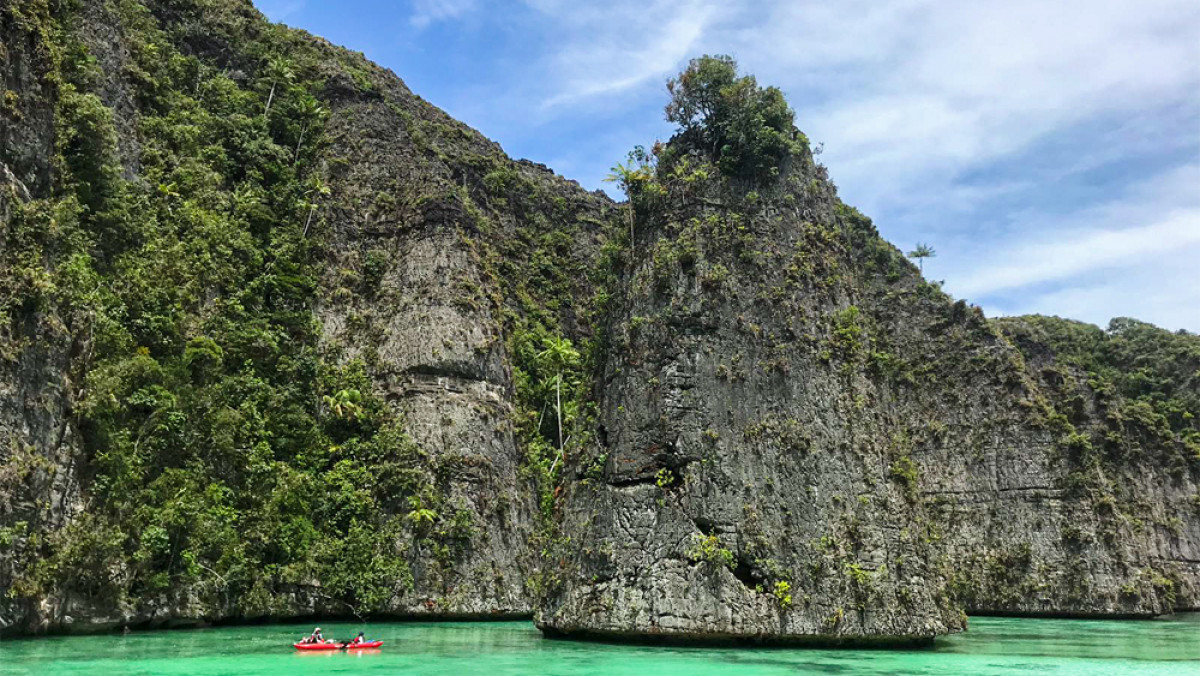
column 994, row 647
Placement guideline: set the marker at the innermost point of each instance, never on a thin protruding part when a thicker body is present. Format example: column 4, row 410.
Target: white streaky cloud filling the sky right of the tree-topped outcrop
column 919, row 103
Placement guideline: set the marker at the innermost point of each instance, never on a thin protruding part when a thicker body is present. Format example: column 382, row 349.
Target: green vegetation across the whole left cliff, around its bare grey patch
column 235, row 460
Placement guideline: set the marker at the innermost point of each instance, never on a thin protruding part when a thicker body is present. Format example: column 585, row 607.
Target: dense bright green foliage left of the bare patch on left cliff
column 221, row 457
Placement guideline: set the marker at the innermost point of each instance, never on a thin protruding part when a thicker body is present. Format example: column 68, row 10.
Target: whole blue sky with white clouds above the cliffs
column 1049, row 151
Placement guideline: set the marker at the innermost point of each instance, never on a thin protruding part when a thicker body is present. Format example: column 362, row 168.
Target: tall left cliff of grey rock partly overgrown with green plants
column 434, row 253
